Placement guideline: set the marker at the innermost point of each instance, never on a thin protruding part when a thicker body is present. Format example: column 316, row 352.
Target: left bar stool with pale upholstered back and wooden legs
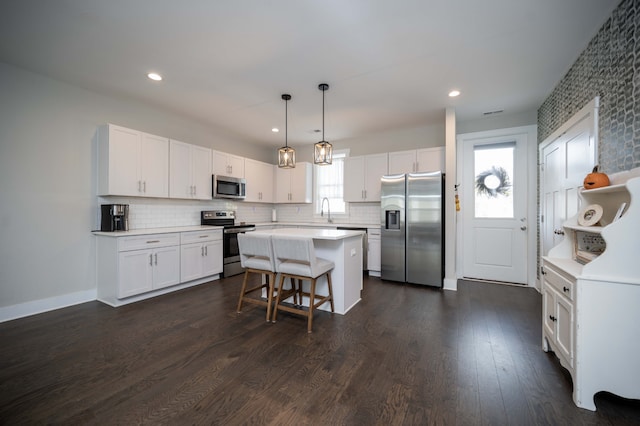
column 256, row 256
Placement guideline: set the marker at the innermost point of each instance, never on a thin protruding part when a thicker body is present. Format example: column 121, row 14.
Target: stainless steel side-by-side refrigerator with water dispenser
column 412, row 228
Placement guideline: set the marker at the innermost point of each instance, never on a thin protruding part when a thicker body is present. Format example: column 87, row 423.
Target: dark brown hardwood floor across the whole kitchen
column 404, row 355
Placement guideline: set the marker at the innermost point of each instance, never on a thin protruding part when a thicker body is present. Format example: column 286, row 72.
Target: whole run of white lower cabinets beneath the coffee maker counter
column 132, row 268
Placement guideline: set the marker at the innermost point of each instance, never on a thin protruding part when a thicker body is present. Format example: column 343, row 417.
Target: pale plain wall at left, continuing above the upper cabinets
column 47, row 198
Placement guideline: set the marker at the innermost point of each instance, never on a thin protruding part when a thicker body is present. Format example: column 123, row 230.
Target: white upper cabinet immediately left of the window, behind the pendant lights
column 294, row 185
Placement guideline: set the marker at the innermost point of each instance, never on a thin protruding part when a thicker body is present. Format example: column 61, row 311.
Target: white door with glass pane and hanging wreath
column 494, row 205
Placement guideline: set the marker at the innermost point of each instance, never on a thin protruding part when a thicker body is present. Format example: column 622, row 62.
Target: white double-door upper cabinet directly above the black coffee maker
column 132, row 163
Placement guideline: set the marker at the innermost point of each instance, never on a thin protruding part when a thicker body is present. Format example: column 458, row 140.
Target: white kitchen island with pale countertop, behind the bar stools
column 342, row 247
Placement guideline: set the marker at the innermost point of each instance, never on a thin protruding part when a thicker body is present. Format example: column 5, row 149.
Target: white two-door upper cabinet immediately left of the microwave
column 189, row 171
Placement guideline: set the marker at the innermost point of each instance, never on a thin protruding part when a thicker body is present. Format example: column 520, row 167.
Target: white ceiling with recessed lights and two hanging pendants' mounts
column 389, row 64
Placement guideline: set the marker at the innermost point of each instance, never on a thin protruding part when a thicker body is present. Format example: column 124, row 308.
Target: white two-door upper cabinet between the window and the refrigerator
column 362, row 177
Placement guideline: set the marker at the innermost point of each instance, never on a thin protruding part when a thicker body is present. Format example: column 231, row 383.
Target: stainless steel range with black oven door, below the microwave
column 230, row 251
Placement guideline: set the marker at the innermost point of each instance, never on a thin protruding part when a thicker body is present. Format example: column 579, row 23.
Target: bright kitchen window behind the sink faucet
column 329, row 182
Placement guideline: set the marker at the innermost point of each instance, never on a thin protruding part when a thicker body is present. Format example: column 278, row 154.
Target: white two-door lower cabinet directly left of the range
column 200, row 254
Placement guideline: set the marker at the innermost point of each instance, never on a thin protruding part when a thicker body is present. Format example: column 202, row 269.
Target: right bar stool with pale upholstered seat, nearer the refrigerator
column 295, row 258
